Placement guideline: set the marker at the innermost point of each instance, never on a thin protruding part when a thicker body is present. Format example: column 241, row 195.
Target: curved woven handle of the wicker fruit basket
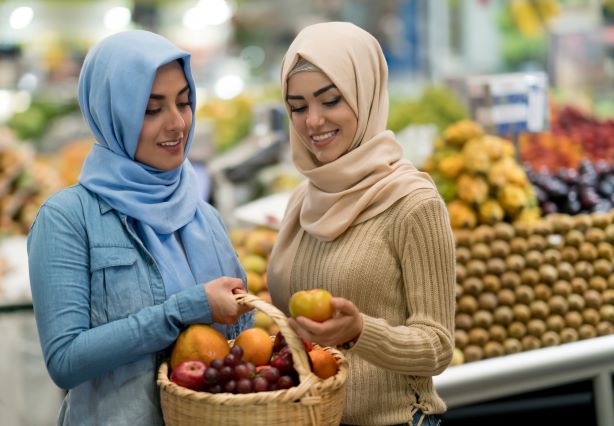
column 299, row 355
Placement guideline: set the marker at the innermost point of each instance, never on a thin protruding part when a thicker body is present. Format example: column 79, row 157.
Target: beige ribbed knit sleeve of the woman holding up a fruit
column 423, row 239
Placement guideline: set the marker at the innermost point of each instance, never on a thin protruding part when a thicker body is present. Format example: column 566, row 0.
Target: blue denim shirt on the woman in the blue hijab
column 103, row 317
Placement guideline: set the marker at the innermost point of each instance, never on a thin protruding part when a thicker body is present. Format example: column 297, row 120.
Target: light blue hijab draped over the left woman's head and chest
column 114, row 88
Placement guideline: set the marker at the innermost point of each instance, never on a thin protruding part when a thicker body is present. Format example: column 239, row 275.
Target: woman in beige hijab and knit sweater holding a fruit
column 367, row 226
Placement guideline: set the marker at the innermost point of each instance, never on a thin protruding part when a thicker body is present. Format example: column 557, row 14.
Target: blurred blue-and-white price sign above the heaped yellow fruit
column 508, row 104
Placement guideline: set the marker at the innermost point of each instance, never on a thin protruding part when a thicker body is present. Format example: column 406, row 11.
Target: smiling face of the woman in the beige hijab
column 321, row 115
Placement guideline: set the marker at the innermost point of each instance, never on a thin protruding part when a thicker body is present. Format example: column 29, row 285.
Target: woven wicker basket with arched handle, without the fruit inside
column 313, row 402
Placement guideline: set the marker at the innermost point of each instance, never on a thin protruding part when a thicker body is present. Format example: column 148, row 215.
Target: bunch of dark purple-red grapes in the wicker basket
column 232, row 374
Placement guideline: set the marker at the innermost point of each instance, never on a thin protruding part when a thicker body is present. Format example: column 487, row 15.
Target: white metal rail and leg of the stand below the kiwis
column 534, row 370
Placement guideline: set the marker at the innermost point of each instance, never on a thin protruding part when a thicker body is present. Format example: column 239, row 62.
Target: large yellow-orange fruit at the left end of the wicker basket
column 199, row 341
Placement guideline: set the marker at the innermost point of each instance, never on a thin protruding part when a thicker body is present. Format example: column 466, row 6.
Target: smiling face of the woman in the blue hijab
column 167, row 121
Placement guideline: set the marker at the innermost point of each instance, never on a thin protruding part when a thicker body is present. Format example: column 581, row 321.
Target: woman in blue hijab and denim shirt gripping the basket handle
column 123, row 261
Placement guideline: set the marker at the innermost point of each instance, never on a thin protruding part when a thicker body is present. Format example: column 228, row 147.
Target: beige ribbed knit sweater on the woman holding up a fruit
column 398, row 268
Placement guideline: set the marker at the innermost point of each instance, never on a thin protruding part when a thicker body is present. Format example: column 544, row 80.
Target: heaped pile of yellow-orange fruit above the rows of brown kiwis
column 480, row 179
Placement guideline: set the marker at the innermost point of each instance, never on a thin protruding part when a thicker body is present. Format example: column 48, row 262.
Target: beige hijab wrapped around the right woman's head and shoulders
column 364, row 181
